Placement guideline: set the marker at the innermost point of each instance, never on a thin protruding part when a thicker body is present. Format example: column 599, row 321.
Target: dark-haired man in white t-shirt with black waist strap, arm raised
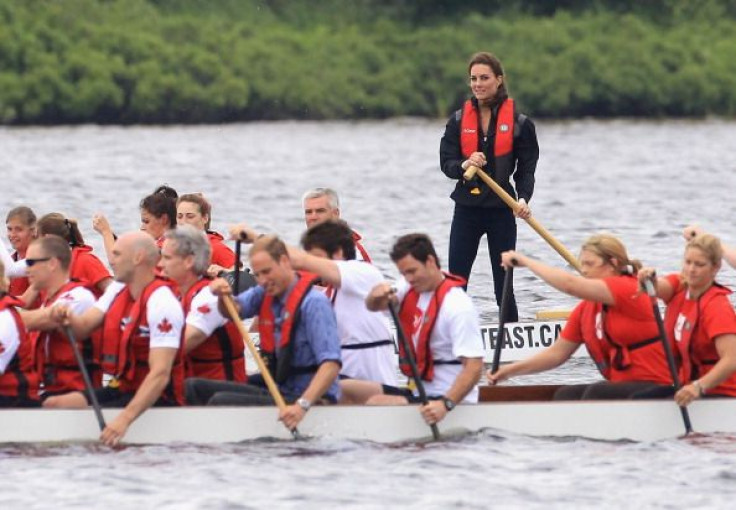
column 368, row 350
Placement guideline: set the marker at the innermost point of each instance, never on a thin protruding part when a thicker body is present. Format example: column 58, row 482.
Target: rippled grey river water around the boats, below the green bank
column 641, row 180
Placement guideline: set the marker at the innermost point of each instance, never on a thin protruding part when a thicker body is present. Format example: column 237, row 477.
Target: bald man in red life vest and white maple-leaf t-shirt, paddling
column 142, row 323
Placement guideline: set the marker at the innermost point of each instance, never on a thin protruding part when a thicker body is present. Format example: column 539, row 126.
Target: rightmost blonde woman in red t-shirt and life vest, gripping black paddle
column 702, row 321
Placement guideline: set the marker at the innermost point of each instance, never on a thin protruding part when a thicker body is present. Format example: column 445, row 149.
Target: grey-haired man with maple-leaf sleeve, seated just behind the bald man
column 213, row 345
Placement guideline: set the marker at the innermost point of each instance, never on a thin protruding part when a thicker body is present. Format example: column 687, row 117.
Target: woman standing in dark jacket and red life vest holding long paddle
column 489, row 133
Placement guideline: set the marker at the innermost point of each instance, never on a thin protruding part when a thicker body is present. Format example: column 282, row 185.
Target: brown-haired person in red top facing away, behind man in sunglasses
column 85, row 266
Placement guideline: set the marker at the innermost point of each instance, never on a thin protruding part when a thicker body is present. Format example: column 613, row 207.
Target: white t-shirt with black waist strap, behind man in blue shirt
column 358, row 325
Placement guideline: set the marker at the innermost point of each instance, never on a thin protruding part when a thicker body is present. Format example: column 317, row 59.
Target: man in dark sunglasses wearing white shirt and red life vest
column 48, row 260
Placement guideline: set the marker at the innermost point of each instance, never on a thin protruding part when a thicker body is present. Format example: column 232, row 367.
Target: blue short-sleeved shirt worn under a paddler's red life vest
column 315, row 338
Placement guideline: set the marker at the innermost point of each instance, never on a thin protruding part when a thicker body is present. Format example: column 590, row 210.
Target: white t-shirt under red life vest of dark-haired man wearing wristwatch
column 456, row 334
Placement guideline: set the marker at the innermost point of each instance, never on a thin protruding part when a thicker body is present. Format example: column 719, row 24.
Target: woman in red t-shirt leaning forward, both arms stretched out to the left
column 615, row 321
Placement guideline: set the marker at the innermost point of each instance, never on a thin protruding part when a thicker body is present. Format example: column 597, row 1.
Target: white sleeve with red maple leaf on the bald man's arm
column 165, row 319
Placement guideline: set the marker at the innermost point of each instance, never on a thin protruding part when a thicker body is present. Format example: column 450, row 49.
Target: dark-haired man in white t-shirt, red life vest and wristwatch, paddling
column 441, row 323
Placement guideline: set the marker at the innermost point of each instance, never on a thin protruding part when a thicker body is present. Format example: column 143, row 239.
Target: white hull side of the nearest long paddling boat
column 603, row 420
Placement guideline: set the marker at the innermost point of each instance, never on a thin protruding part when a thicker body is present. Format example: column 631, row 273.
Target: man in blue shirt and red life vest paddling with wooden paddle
column 298, row 338
